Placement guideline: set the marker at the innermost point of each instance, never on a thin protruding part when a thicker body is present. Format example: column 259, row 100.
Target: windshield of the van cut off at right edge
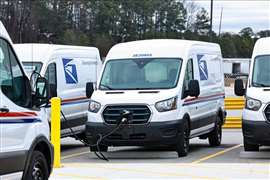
column 261, row 71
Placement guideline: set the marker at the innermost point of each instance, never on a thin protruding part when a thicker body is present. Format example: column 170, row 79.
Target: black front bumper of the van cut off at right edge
column 256, row 132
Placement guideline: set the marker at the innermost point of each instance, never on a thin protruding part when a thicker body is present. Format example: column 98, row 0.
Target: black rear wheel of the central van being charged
column 215, row 136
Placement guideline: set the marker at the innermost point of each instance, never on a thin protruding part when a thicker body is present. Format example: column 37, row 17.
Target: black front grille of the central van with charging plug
column 140, row 114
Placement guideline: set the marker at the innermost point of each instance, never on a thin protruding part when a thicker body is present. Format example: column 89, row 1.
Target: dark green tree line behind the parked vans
column 103, row 23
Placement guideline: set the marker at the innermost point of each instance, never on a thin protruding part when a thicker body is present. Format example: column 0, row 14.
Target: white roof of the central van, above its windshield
column 157, row 48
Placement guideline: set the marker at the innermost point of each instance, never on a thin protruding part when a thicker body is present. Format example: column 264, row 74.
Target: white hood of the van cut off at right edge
column 262, row 94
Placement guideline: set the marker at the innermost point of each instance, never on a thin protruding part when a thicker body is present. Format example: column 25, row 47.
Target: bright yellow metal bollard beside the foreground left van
column 55, row 130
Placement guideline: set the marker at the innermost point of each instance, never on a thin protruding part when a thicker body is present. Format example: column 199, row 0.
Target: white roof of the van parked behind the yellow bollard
column 43, row 52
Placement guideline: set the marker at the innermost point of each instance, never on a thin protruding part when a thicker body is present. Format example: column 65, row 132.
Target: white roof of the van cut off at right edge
column 262, row 47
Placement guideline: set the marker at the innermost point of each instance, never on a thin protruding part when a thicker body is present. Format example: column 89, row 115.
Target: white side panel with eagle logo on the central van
column 208, row 71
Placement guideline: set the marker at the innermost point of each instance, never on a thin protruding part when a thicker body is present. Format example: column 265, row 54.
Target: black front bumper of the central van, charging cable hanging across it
column 152, row 133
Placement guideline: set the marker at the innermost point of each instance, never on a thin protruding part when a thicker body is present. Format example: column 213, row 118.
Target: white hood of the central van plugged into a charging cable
column 149, row 97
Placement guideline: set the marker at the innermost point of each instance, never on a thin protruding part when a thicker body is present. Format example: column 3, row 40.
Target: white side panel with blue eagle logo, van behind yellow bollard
column 73, row 72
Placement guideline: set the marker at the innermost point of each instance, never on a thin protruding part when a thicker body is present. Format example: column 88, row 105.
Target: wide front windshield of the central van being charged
column 131, row 74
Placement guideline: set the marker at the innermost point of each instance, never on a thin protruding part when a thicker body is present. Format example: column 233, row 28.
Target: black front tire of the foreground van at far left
column 38, row 167
